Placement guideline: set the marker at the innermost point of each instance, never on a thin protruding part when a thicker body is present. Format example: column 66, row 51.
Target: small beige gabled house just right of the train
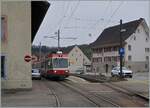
column 78, row 61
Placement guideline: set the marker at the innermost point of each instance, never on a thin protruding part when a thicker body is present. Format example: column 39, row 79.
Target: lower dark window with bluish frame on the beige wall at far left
column 3, row 65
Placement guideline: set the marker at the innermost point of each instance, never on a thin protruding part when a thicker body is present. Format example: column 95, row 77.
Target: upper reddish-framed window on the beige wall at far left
column 3, row 28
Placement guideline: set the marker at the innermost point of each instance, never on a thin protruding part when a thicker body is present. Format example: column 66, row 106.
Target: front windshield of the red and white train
column 60, row 63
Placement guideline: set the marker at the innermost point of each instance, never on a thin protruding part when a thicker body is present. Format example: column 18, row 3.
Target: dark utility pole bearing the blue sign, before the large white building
column 121, row 55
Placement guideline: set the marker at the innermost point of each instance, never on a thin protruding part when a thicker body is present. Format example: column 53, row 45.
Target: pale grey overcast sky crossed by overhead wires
column 85, row 20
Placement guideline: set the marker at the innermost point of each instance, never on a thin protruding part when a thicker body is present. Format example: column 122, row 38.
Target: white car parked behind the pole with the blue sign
column 125, row 72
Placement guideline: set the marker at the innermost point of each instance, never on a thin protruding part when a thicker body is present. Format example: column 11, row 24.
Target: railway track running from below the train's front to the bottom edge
column 99, row 101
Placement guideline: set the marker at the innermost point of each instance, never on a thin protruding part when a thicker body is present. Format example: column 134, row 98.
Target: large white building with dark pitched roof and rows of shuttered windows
column 136, row 42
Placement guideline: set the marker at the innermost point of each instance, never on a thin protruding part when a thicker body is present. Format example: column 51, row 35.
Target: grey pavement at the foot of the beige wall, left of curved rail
column 40, row 95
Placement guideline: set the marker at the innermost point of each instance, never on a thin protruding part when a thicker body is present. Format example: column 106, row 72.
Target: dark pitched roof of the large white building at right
column 111, row 35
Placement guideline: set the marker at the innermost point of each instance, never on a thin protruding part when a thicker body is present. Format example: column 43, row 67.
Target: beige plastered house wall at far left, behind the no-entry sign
column 16, row 41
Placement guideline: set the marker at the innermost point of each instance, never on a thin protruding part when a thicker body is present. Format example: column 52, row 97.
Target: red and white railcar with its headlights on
column 55, row 66
